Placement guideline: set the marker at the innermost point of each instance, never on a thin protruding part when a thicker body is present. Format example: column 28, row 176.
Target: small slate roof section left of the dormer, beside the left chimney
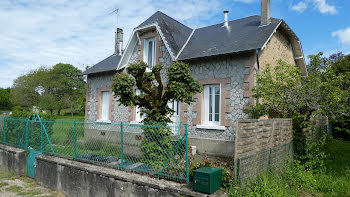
column 108, row 64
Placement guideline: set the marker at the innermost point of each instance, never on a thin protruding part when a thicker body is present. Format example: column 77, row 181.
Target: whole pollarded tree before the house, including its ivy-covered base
column 153, row 101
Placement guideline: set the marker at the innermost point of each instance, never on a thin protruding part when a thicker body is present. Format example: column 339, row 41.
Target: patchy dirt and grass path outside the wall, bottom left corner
column 12, row 185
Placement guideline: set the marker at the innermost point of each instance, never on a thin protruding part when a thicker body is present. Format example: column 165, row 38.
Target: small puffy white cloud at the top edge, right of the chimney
column 321, row 5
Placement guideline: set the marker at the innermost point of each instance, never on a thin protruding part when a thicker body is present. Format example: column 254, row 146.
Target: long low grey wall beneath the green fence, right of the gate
column 82, row 179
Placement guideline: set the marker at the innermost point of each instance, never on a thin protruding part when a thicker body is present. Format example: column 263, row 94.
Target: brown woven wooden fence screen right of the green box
column 261, row 145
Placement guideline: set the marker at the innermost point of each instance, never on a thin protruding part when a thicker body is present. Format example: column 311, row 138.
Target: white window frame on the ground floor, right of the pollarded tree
column 207, row 121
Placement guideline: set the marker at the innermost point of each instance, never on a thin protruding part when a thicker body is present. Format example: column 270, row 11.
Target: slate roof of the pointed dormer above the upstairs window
column 176, row 33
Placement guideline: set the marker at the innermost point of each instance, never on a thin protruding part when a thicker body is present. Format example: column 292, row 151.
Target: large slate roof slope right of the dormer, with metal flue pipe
column 242, row 35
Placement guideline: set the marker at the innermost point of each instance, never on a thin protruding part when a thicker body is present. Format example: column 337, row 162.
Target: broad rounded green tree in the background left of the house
column 56, row 88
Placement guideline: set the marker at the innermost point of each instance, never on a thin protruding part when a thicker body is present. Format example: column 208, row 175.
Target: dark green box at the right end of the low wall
column 207, row 180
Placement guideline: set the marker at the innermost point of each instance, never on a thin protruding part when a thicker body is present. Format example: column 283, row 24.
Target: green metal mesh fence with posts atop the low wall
column 158, row 150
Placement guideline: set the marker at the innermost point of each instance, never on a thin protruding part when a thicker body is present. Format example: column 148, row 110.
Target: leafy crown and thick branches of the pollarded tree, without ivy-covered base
column 155, row 95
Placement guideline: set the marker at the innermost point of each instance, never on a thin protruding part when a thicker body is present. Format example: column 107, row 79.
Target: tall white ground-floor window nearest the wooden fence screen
column 212, row 104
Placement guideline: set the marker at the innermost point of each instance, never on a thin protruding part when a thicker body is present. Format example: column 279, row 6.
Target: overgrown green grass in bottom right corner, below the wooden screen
column 296, row 181
